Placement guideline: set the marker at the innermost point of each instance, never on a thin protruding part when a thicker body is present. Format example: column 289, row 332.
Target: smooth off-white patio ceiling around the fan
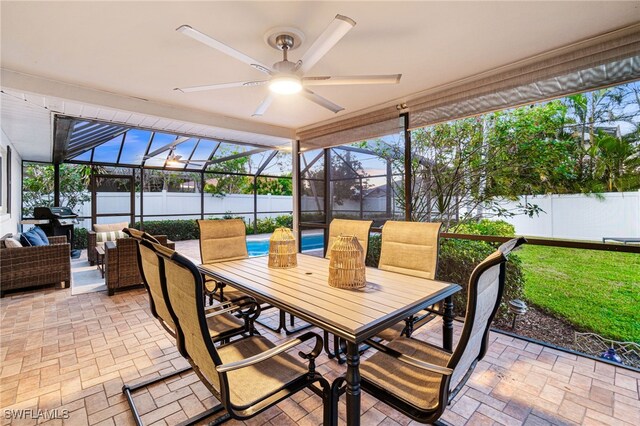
column 129, row 55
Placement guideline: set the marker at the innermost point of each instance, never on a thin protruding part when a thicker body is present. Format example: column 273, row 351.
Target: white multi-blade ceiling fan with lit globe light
column 286, row 77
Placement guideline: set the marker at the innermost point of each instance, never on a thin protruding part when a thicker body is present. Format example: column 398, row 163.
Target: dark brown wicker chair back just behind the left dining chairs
column 122, row 269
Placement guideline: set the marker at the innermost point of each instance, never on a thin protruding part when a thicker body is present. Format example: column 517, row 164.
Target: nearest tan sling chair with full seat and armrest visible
column 249, row 375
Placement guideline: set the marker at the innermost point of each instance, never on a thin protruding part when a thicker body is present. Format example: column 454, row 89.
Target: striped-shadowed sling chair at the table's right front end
column 419, row 379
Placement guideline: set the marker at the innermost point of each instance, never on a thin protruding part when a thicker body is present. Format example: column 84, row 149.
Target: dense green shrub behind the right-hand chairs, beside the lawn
column 456, row 261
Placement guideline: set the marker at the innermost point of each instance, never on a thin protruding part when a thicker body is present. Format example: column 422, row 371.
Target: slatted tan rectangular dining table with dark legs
column 353, row 315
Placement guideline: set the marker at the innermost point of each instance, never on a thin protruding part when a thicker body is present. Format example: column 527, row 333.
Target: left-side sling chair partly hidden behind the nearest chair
column 222, row 327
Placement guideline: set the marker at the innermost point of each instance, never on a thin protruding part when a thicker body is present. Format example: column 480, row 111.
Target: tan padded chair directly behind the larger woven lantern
column 360, row 229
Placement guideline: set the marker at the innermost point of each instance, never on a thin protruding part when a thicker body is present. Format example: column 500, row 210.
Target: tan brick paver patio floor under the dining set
column 75, row 352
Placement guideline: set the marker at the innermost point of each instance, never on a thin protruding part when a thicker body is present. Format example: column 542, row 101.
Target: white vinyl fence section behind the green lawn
column 581, row 217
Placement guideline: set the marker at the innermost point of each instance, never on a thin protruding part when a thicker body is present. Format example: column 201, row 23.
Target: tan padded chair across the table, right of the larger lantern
column 409, row 248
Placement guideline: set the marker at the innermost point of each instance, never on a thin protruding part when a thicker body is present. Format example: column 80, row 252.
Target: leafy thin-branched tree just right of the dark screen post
column 468, row 165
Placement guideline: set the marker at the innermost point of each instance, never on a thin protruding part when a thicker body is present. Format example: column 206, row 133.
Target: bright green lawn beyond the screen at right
column 597, row 291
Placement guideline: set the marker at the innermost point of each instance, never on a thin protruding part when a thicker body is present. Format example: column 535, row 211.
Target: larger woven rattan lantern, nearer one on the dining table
column 346, row 267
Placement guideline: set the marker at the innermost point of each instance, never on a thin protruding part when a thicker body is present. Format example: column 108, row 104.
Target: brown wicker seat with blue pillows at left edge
column 24, row 267
